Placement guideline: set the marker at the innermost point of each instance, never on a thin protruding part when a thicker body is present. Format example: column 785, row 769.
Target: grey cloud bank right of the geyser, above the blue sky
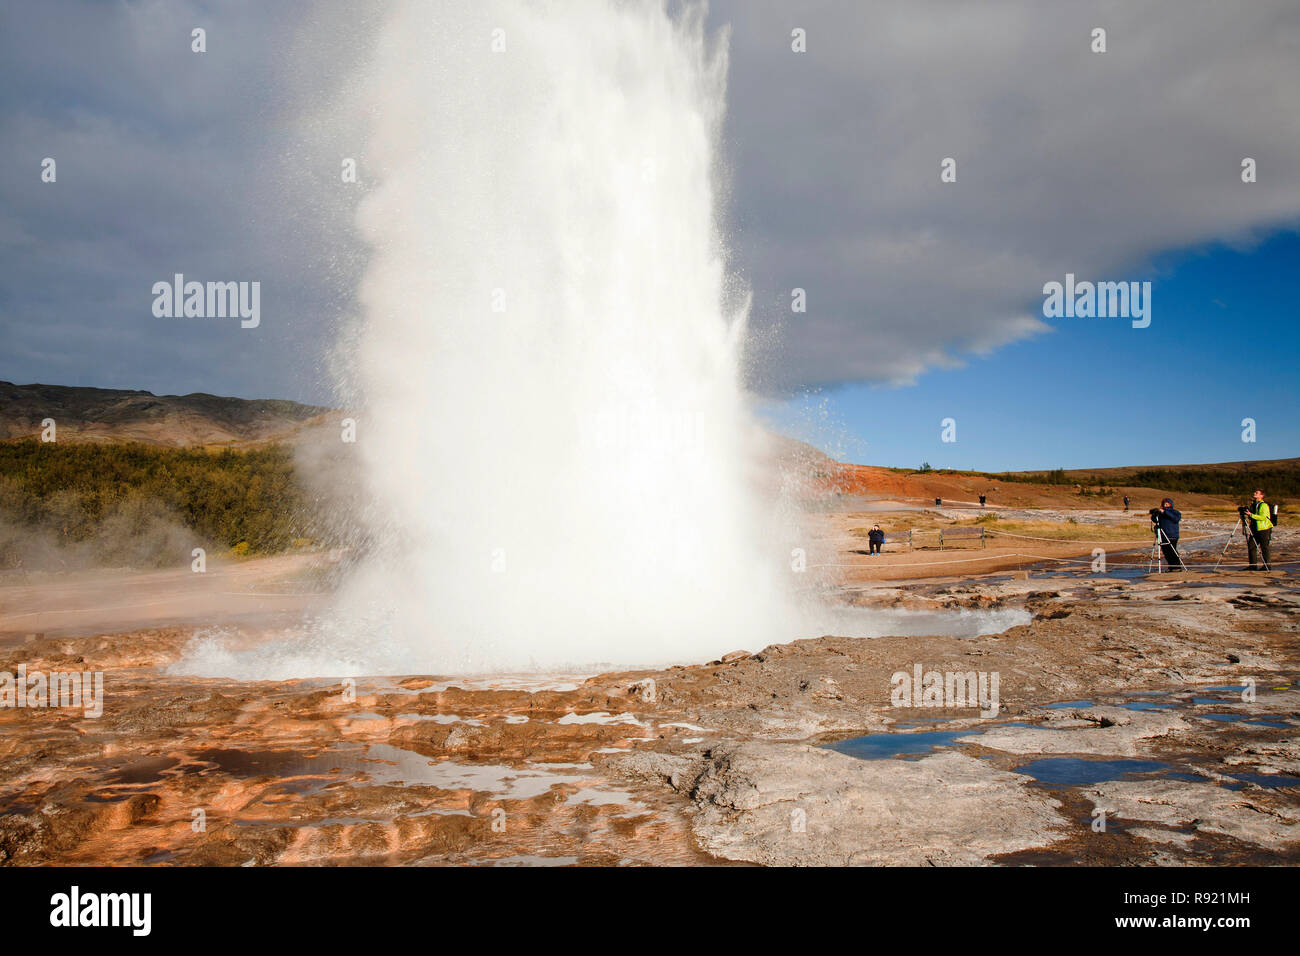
column 1068, row 162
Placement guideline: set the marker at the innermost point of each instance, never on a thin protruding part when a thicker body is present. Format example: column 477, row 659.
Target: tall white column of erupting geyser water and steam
column 560, row 461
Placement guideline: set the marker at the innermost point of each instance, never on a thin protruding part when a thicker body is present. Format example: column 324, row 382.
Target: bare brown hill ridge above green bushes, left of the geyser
column 109, row 416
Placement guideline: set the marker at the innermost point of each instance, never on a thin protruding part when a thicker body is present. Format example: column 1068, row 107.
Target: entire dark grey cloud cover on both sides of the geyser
column 1068, row 162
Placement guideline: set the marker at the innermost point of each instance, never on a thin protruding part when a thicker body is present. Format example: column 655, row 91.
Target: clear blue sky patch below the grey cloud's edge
column 1097, row 392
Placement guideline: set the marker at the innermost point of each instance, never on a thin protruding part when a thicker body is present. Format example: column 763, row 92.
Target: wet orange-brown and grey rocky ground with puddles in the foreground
column 1167, row 710
